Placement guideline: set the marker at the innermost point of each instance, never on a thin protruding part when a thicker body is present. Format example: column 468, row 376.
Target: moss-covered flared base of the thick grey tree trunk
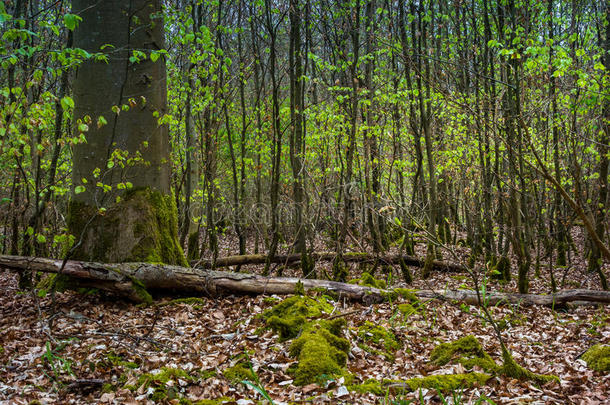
column 141, row 227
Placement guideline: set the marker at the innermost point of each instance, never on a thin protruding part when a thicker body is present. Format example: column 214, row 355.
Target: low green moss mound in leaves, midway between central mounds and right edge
column 466, row 351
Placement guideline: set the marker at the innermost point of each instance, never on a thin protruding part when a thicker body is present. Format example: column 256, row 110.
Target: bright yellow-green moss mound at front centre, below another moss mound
column 321, row 352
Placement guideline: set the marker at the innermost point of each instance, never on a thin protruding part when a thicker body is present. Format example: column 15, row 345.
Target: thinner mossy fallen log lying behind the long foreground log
column 350, row 257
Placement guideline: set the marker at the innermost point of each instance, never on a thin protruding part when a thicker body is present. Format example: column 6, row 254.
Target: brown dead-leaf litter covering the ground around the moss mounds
column 75, row 348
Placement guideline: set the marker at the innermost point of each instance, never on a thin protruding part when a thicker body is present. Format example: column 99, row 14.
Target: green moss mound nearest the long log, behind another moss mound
column 288, row 318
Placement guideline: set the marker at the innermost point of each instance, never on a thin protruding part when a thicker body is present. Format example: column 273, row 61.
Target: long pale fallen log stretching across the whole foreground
column 131, row 280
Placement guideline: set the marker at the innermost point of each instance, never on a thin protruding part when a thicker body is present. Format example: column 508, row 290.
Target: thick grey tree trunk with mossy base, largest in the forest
column 121, row 208
